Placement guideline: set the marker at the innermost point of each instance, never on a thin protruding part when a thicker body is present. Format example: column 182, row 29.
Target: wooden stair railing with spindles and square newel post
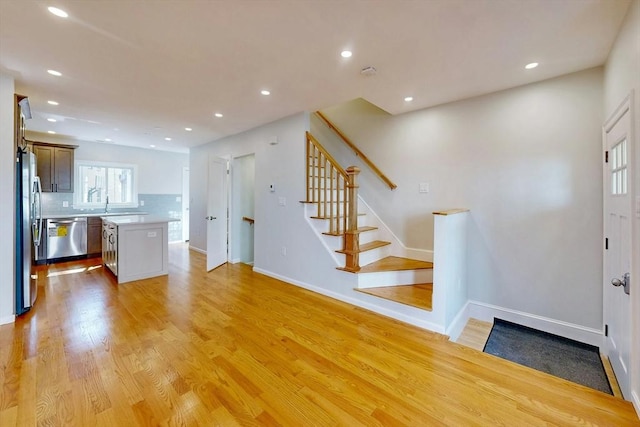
column 334, row 191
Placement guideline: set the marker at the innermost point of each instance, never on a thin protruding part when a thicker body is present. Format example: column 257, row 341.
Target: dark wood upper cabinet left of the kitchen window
column 55, row 167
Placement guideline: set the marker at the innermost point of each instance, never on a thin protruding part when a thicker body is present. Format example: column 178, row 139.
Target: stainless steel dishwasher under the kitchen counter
column 66, row 237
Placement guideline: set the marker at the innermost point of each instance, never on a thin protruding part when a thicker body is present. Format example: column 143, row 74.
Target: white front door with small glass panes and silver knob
column 617, row 259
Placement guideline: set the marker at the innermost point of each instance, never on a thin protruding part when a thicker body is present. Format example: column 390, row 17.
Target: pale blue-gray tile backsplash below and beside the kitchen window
column 168, row 205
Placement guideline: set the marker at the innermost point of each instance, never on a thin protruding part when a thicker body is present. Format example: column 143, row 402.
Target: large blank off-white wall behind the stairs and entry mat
column 526, row 162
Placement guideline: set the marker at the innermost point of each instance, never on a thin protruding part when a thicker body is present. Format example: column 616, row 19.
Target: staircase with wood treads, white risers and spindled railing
column 359, row 241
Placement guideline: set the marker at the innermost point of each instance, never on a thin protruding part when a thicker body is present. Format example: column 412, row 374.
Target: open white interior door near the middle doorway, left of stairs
column 217, row 208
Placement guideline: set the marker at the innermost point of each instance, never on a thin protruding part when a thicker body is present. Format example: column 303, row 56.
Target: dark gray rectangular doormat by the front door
column 555, row 355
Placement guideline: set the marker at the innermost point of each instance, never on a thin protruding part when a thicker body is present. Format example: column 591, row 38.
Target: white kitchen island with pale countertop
column 136, row 247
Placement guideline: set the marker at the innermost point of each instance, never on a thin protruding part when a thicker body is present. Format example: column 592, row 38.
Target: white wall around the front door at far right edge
column 622, row 75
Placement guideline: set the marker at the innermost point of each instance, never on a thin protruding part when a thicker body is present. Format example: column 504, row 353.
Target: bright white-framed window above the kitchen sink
column 97, row 181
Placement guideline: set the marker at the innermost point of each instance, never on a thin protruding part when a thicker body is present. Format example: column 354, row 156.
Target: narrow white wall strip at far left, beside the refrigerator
column 7, row 202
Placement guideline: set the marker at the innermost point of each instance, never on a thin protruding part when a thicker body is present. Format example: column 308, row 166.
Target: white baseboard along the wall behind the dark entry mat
column 486, row 312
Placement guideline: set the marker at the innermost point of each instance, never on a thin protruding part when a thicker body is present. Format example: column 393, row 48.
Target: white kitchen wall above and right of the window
column 159, row 172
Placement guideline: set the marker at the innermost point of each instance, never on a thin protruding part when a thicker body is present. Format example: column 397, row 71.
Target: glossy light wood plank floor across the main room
column 233, row 347
